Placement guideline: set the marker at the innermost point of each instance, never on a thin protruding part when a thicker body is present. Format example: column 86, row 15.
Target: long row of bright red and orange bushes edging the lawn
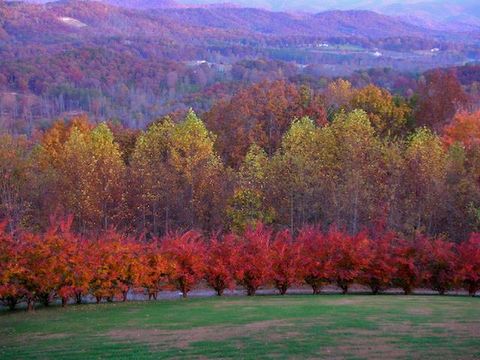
column 60, row 264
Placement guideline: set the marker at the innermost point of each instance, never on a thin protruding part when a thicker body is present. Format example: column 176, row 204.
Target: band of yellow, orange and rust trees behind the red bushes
column 274, row 153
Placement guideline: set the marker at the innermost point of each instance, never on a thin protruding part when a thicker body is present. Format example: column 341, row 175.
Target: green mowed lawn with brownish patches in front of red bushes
column 326, row 326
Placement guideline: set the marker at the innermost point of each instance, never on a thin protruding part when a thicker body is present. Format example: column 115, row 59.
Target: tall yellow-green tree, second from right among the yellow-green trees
column 358, row 171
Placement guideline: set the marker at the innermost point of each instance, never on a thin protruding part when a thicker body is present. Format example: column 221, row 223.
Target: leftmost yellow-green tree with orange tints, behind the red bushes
column 93, row 172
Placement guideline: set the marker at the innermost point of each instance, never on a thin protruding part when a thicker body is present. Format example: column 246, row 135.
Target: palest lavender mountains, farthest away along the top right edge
column 449, row 15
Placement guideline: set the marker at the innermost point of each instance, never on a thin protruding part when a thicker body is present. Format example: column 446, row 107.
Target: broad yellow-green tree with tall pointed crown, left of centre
column 177, row 176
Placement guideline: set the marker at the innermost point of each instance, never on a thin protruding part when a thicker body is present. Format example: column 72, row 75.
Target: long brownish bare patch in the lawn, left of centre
column 273, row 330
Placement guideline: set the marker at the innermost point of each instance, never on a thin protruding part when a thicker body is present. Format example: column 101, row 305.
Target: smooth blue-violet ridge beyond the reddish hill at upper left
column 332, row 23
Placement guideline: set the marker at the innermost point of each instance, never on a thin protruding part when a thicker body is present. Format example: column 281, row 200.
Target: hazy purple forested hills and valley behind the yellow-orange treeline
column 133, row 65
